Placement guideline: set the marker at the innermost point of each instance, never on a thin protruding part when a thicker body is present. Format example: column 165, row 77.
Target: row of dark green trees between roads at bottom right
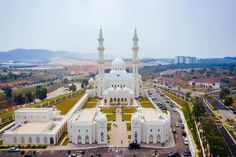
column 213, row 141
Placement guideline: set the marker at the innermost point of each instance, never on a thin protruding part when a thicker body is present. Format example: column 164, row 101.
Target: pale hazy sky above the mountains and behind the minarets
column 166, row 28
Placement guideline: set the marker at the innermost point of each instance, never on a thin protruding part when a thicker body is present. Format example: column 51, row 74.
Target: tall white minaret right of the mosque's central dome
column 135, row 49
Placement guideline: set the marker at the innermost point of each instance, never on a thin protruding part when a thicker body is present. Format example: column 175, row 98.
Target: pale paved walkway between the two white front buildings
column 119, row 134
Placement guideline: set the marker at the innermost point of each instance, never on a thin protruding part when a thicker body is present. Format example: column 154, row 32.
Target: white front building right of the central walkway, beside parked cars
column 150, row 126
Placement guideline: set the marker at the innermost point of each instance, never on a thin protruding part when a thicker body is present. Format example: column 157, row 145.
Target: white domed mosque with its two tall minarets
column 118, row 85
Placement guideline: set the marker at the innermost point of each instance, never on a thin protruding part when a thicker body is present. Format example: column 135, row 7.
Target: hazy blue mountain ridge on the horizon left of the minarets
column 43, row 55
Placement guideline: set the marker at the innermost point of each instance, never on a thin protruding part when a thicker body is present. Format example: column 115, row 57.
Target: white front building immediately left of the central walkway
column 88, row 126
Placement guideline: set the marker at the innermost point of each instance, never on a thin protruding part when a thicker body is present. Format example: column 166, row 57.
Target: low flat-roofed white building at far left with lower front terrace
column 35, row 126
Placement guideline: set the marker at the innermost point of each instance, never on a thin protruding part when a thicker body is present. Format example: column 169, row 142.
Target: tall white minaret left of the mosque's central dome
column 101, row 54
